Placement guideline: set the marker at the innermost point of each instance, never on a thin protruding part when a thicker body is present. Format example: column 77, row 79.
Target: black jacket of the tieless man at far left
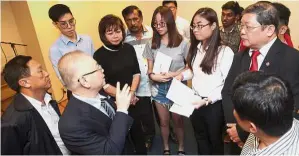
column 23, row 130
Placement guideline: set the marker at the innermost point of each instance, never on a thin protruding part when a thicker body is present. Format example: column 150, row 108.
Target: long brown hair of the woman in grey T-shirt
column 174, row 38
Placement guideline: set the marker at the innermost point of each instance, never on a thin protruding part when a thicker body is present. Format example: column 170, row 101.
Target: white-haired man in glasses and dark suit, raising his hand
column 89, row 124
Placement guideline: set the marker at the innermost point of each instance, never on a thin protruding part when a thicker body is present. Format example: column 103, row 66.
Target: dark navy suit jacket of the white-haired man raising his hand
column 86, row 130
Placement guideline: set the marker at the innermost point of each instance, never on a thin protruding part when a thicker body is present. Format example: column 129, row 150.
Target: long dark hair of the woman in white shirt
column 211, row 45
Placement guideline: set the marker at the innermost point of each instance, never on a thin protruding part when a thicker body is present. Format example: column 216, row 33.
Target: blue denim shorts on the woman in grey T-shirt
column 159, row 91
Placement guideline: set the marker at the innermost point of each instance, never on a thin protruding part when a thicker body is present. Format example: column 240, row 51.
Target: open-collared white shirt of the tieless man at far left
column 51, row 118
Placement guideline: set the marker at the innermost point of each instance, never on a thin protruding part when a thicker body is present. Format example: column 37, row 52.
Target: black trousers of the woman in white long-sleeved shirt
column 208, row 124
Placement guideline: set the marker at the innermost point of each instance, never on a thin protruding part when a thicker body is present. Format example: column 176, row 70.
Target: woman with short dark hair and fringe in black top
column 120, row 63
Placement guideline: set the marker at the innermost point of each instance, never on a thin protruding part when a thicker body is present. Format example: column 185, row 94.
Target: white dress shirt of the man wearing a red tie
column 264, row 51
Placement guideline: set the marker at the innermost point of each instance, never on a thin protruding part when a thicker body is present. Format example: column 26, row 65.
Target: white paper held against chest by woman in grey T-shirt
column 162, row 63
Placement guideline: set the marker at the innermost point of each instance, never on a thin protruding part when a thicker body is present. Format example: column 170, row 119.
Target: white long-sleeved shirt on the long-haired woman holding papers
column 210, row 85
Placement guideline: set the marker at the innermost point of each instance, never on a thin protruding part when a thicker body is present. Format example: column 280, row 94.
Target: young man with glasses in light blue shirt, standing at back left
column 62, row 18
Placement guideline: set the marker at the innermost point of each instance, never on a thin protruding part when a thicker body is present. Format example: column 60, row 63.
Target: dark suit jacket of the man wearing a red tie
column 280, row 60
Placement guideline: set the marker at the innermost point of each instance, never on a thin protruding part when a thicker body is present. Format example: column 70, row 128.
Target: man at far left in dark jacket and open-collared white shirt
column 30, row 123
